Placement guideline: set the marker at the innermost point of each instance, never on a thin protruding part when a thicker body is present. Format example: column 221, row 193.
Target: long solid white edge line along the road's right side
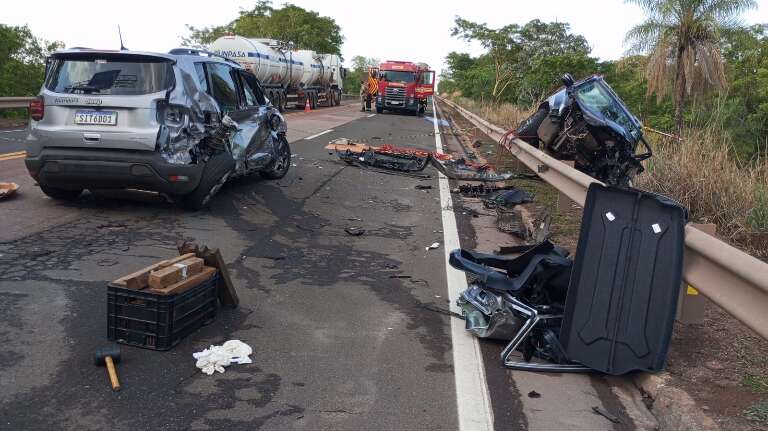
column 473, row 402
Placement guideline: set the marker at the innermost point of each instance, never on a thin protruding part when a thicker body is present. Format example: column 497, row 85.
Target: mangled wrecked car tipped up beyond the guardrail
column 586, row 122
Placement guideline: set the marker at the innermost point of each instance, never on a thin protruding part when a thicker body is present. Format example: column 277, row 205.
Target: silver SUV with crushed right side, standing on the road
column 181, row 124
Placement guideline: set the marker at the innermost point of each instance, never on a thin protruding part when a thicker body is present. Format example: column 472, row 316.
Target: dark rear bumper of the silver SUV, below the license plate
column 72, row 168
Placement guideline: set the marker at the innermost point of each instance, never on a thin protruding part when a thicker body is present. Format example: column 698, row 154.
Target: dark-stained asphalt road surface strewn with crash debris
column 343, row 328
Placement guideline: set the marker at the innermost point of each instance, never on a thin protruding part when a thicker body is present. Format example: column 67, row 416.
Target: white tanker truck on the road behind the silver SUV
column 290, row 77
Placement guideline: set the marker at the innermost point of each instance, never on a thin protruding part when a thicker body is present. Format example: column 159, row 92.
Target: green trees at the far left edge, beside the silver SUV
column 22, row 61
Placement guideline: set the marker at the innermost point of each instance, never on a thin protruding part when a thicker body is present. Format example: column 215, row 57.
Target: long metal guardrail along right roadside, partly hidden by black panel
column 732, row 279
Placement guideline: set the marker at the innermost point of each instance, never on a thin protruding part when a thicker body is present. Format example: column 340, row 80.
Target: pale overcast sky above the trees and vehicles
column 416, row 30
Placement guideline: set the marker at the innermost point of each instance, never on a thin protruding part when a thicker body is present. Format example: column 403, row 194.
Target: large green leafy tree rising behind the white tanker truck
column 290, row 23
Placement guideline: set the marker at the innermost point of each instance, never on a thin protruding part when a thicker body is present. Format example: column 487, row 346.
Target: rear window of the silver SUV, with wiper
column 123, row 76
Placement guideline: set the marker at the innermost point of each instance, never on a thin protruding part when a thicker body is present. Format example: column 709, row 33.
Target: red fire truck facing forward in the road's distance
column 404, row 86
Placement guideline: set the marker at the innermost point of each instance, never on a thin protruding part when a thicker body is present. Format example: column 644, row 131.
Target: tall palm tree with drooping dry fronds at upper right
column 681, row 38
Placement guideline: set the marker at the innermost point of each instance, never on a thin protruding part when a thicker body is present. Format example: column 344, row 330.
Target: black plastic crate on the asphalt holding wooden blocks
column 159, row 322
